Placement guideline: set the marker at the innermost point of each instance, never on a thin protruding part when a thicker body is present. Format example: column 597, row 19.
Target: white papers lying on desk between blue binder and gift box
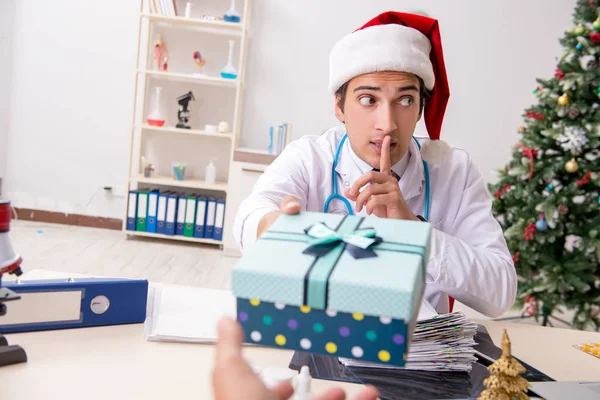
column 187, row 314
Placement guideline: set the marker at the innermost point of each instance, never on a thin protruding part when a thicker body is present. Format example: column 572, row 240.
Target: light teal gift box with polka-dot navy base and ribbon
column 337, row 285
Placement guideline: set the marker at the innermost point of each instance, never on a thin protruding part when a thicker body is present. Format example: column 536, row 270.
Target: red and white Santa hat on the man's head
column 395, row 41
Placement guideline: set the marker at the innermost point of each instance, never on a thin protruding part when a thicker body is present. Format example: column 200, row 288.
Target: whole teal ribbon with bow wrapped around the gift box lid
column 328, row 245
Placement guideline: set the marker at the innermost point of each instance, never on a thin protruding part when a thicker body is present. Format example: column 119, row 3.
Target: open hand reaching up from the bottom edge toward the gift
column 234, row 379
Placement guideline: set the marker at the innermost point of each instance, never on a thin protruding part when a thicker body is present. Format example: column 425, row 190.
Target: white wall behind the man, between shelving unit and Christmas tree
column 494, row 50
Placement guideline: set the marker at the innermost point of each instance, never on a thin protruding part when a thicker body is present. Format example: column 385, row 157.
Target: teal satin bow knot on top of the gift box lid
column 358, row 243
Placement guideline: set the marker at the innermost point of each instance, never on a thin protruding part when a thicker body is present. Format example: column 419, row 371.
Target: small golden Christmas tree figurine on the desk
column 504, row 382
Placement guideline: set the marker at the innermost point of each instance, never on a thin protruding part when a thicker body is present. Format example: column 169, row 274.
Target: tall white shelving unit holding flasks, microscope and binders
column 201, row 33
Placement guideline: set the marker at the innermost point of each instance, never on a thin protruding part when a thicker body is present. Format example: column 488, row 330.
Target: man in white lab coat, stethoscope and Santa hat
column 384, row 77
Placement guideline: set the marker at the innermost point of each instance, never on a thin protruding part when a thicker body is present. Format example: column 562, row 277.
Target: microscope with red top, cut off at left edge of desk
column 10, row 263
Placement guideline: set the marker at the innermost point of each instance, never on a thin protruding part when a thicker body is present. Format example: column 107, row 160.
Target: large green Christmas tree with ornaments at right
column 547, row 198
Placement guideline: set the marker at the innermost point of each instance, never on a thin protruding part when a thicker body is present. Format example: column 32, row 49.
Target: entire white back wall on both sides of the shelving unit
column 72, row 83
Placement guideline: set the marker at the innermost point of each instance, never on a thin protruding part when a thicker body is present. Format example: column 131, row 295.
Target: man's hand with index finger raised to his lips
column 383, row 198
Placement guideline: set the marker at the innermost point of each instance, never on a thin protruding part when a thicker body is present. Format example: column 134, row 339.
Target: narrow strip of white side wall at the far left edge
column 7, row 14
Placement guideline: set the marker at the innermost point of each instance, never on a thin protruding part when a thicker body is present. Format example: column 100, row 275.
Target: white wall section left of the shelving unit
column 71, row 99
